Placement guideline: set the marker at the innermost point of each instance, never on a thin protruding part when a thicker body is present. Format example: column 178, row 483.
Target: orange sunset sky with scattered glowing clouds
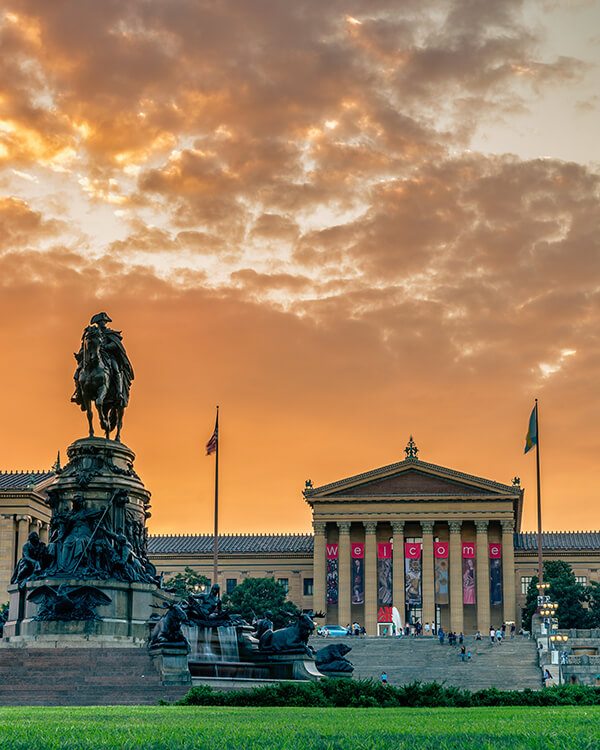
column 344, row 222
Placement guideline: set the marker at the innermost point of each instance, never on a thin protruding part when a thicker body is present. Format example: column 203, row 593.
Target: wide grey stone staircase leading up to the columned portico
column 510, row 666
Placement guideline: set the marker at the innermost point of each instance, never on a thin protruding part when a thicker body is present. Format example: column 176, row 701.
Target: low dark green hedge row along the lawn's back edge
column 366, row 693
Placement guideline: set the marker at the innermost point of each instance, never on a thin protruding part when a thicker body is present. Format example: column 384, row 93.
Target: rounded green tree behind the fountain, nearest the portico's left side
column 253, row 596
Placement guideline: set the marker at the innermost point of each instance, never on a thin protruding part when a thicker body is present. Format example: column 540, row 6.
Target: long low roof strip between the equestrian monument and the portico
column 232, row 544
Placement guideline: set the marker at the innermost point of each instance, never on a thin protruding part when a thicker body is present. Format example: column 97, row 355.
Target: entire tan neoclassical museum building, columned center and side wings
column 438, row 544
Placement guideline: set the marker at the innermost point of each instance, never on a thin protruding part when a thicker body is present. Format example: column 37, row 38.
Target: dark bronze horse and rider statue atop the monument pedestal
column 103, row 375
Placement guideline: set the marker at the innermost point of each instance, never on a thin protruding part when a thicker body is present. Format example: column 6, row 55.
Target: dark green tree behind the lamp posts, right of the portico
column 565, row 591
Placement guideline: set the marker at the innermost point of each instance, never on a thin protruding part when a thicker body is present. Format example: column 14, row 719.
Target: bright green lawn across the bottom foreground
column 571, row 728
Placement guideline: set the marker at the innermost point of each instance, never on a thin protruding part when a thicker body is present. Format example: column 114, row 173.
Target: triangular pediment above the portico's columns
column 411, row 478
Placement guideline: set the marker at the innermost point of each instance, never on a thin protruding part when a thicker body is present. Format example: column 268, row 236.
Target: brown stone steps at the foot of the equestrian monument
column 81, row 677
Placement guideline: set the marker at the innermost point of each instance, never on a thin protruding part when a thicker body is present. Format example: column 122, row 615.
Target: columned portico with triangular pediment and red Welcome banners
column 462, row 515
